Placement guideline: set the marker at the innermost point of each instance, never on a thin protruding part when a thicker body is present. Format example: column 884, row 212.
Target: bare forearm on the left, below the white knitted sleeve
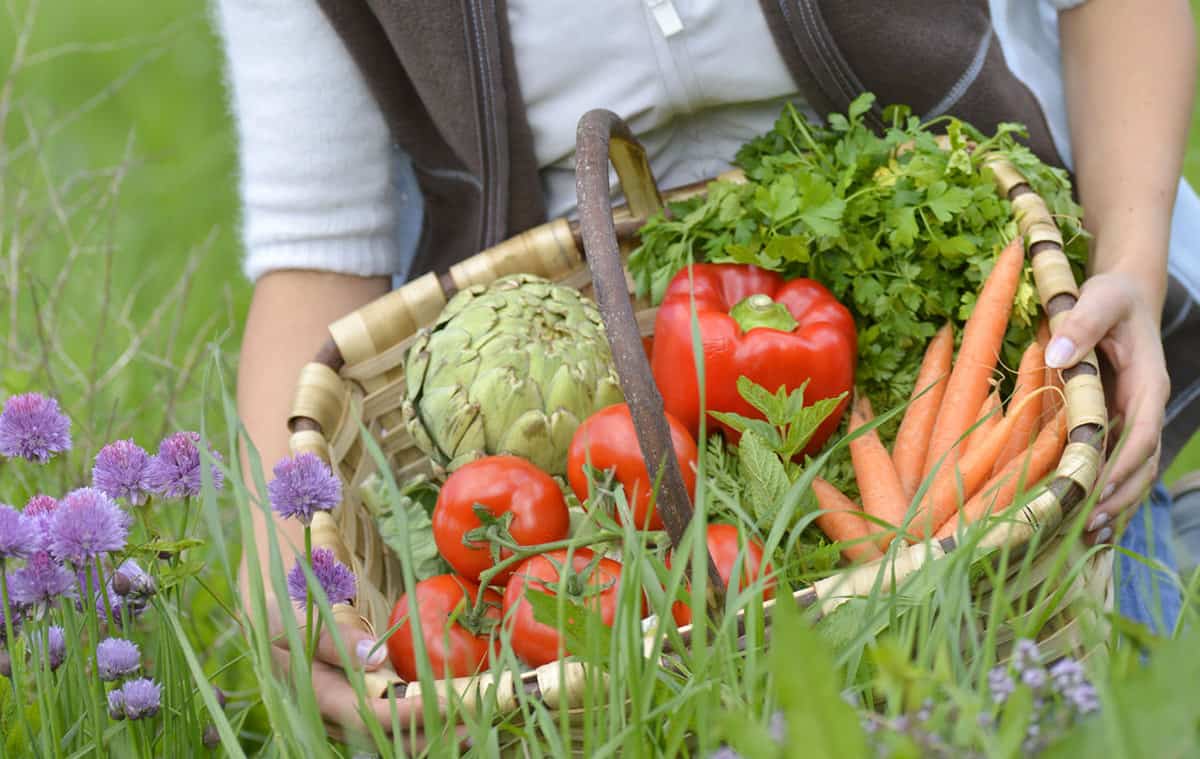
column 289, row 321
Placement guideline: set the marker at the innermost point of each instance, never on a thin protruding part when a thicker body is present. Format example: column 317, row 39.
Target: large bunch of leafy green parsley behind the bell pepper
column 902, row 231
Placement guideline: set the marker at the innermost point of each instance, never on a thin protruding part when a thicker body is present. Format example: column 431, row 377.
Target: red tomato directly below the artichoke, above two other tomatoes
column 506, row 486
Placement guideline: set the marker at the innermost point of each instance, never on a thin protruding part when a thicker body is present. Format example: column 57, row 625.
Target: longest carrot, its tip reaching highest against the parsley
column 982, row 338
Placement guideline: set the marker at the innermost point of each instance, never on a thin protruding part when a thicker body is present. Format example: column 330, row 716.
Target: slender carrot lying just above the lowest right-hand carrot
column 971, row 471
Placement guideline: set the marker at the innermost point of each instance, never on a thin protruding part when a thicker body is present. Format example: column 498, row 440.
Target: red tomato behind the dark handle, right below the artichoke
column 608, row 441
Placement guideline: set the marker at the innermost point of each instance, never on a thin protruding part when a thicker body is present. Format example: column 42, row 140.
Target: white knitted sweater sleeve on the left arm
column 316, row 156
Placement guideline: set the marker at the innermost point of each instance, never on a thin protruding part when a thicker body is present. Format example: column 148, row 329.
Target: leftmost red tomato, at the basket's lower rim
column 455, row 649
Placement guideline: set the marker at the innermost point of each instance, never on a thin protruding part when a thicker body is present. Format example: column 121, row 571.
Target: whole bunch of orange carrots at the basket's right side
column 957, row 444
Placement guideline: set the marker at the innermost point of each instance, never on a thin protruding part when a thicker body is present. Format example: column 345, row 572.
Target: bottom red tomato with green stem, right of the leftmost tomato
column 541, row 644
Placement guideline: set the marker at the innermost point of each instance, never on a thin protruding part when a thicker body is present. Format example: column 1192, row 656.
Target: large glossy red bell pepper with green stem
column 753, row 324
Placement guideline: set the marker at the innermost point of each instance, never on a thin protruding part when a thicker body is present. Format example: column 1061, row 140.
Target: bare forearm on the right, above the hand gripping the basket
column 1130, row 75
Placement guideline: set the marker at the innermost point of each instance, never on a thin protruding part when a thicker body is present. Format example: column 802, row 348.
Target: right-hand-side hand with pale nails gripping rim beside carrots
column 1117, row 316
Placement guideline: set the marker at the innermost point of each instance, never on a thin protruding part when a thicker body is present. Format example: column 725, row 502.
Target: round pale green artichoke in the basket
column 511, row 368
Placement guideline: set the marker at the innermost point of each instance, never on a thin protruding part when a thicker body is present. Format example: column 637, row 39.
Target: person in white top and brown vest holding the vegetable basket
column 322, row 97
